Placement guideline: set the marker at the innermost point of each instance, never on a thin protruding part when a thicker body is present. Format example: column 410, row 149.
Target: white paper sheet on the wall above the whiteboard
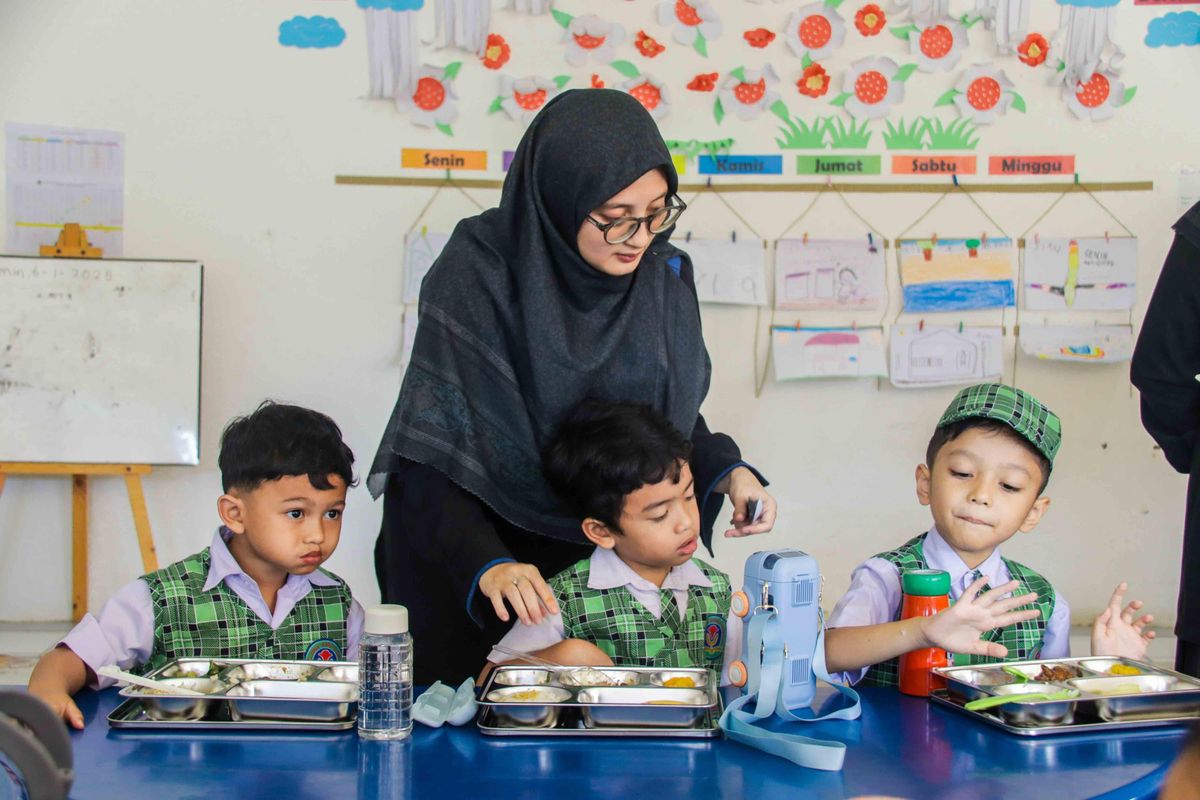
column 61, row 176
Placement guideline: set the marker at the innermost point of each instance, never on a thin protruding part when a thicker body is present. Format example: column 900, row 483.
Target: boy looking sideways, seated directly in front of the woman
column 641, row 600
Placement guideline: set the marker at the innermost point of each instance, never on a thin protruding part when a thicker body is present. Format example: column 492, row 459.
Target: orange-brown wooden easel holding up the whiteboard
column 74, row 244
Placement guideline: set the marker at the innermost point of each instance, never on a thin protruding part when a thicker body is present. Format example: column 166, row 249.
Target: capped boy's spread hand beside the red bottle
column 958, row 629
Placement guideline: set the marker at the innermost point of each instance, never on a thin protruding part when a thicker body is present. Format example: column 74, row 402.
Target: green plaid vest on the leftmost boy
column 190, row 623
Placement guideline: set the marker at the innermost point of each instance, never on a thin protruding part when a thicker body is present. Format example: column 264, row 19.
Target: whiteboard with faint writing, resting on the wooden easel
column 100, row 360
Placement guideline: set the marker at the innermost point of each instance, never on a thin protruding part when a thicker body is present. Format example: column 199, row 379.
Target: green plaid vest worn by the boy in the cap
column 1023, row 640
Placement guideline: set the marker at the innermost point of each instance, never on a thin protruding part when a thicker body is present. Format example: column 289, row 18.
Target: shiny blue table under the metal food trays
column 902, row 747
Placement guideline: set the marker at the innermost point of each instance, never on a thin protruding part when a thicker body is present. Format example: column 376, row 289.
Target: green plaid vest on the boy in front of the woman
column 619, row 624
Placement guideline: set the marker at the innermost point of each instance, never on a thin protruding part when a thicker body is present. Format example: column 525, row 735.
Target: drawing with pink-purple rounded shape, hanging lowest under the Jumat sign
column 801, row 354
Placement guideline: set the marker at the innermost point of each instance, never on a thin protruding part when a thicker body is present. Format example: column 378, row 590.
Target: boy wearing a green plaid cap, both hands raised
column 985, row 474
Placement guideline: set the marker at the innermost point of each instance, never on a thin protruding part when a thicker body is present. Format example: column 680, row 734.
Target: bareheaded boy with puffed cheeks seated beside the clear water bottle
column 257, row 592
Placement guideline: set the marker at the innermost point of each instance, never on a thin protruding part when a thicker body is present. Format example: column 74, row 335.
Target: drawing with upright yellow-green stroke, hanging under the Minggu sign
column 1089, row 274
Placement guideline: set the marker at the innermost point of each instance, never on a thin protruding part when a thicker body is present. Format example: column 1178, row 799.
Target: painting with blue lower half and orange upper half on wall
column 957, row 274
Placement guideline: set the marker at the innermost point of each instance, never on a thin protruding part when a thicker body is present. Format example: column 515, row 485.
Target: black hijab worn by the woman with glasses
column 517, row 328
